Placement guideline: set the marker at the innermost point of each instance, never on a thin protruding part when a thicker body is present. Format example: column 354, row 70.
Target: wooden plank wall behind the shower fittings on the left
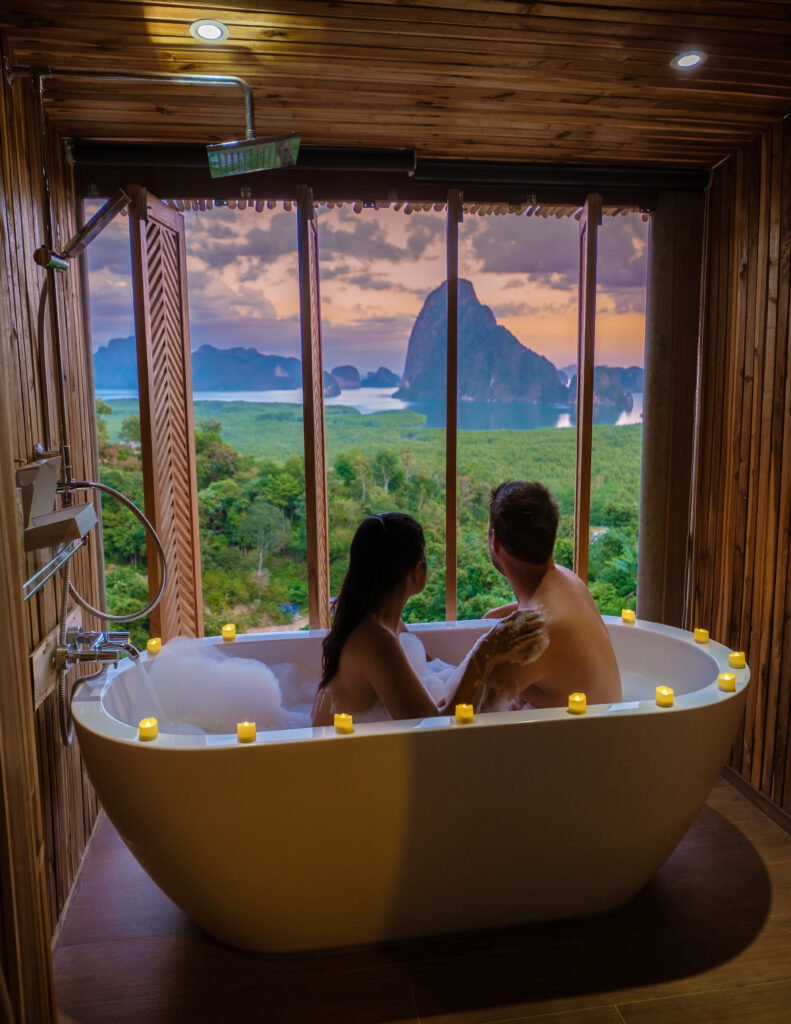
column 69, row 805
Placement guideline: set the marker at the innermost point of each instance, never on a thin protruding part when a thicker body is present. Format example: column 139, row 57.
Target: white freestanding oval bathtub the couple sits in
column 308, row 839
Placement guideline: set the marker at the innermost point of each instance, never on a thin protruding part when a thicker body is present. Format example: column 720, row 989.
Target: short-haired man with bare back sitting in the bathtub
column 552, row 642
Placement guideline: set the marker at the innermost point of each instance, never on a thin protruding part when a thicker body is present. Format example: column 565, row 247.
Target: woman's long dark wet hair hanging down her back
column 385, row 550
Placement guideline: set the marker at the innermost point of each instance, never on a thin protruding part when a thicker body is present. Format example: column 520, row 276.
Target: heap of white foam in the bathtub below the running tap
column 203, row 691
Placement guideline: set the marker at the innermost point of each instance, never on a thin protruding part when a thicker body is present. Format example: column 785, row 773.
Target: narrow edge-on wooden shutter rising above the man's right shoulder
column 592, row 219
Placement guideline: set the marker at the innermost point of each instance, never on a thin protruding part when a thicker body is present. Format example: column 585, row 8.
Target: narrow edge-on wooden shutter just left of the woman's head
column 313, row 393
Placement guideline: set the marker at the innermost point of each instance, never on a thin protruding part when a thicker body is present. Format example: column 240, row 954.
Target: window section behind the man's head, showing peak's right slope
column 518, row 350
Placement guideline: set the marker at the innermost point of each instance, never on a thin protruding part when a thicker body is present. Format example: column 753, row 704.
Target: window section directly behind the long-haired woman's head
column 385, row 343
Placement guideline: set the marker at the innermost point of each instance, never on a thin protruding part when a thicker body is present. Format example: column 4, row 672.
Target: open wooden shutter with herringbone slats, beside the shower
column 168, row 432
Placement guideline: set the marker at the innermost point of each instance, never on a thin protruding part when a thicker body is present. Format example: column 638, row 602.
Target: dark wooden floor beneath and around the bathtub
column 709, row 941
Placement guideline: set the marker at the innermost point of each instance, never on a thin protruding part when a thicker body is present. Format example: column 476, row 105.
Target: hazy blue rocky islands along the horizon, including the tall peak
column 494, row 366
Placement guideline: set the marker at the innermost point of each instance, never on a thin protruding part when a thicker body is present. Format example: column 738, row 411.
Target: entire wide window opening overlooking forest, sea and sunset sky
column 383, row 280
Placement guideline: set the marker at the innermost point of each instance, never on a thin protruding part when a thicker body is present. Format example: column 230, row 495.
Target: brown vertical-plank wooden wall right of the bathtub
column 741, row 566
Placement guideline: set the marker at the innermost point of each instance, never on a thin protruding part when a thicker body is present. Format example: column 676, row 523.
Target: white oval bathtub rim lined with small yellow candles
column 90, row 713
